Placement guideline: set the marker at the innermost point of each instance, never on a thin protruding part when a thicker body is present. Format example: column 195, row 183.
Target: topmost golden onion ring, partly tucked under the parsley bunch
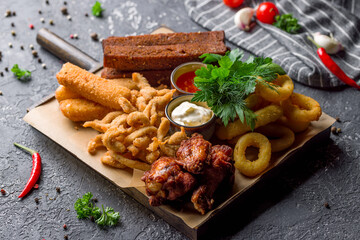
column 283, row 85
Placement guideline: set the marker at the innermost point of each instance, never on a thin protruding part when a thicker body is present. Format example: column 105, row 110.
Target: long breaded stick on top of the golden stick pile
column 93, row 87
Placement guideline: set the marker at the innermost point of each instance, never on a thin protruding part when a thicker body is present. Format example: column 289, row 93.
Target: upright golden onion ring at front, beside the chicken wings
column 245, row 166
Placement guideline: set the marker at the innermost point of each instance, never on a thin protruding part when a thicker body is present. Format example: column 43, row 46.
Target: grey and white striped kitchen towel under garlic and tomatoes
column 294, row 52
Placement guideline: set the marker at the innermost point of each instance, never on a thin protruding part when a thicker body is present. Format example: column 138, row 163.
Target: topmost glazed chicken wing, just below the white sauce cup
column 193, row 153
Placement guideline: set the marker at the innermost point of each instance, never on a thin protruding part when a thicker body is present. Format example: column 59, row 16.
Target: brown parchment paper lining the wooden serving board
column 48, row 119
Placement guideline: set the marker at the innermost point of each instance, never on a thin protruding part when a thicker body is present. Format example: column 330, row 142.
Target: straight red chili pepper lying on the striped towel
column 333, row 67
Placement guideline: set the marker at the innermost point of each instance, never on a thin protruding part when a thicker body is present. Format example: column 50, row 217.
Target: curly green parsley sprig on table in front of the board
column 85, row 208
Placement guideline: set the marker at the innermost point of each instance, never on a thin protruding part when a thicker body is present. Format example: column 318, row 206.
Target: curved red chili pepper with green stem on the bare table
column 35, row 172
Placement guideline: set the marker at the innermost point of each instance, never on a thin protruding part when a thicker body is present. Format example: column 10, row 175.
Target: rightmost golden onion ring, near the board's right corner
column 301, row 108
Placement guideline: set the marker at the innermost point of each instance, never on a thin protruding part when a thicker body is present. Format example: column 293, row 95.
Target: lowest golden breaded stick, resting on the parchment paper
column 82, row 110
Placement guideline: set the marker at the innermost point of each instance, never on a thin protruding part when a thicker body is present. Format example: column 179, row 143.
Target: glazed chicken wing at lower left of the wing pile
column 166, row 181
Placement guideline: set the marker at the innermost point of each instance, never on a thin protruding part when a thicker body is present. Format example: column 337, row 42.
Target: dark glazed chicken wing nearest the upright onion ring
column 220, row 171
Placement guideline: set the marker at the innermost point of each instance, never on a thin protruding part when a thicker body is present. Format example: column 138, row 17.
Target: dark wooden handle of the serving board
column 66, row 51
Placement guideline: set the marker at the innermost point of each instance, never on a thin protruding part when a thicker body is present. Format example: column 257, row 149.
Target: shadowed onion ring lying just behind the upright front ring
column 284, row 136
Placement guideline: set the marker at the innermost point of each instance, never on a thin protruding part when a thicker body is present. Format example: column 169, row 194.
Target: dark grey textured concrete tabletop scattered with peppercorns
column 288, row 206
